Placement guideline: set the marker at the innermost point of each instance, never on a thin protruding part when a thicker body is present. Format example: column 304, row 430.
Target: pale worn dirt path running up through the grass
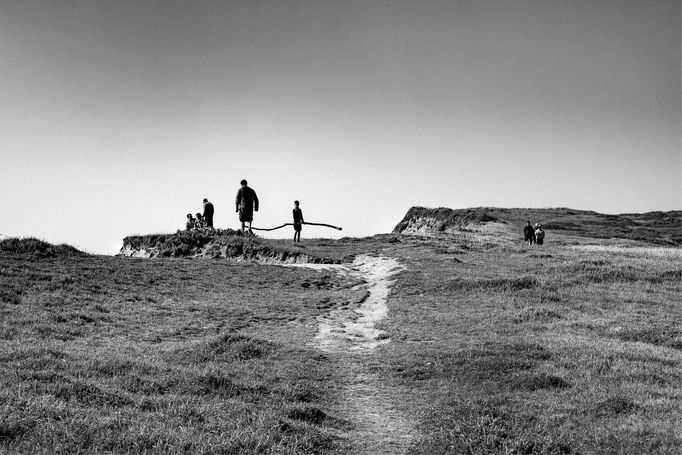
column 379, row 425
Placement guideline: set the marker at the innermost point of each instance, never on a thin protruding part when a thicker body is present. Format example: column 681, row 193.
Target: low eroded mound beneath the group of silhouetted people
column 215, row 244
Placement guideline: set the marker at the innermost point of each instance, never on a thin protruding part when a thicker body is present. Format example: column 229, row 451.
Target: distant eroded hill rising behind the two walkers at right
column 661, row 228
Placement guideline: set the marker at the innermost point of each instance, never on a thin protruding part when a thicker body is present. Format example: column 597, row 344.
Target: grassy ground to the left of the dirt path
column 117, row 355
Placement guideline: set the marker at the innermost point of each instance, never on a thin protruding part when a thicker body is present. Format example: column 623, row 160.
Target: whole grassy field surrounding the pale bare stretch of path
column 495, row 347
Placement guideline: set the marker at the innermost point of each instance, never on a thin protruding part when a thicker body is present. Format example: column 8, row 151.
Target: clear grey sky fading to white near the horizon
column 119, row 117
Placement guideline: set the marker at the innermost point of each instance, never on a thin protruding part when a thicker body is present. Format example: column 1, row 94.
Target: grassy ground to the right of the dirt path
column 528, row 350
